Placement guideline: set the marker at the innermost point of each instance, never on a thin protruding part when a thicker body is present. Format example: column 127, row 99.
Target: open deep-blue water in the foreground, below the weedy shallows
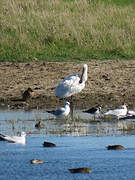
column 70, row 152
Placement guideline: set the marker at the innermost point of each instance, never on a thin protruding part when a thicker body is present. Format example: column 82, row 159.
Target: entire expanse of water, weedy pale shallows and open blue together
column 78, row 144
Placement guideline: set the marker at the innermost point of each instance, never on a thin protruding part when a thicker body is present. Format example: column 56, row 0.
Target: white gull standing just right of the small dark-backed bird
column 120, row 112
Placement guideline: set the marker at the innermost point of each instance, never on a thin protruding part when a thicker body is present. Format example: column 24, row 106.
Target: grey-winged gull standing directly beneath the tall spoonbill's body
column 61, row 112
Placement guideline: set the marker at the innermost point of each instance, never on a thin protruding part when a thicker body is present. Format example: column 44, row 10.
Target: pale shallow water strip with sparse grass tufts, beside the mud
column 12, row 122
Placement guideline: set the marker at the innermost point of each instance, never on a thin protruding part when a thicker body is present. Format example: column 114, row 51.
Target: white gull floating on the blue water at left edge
column 14, row 139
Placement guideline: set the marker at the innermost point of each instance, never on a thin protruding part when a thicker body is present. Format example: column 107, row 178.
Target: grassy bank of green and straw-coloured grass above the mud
column 66, row 29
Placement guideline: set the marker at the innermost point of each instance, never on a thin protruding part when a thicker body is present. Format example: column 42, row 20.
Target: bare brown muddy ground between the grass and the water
column 110, row 83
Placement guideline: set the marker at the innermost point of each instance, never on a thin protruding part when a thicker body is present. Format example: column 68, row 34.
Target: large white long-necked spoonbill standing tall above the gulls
column 72, row 84
